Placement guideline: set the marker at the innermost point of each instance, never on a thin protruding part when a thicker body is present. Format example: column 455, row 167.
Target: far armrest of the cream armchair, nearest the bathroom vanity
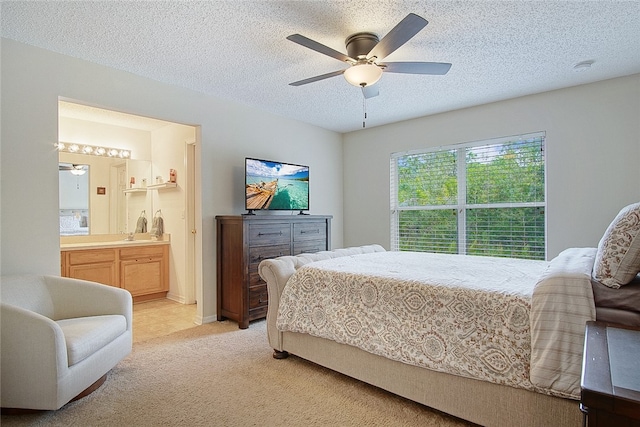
column 81, row 298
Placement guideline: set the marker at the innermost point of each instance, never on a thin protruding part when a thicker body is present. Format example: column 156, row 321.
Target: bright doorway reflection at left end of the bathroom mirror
column 74, row 199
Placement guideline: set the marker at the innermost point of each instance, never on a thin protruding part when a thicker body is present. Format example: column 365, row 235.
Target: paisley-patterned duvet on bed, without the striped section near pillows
column 468, row 317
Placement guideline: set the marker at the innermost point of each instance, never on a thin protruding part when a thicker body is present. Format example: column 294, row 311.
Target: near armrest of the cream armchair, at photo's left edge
column 33, row 349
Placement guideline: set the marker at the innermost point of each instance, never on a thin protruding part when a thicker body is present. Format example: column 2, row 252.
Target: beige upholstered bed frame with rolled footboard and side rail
column 480, row 402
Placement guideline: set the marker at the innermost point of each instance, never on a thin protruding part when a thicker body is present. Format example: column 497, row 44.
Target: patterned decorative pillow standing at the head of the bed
column 618, row 256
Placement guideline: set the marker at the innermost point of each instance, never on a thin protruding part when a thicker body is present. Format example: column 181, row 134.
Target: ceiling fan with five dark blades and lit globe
column 365, row 51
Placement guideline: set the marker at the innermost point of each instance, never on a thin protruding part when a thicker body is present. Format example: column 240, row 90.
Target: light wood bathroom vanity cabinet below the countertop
column 142, row 270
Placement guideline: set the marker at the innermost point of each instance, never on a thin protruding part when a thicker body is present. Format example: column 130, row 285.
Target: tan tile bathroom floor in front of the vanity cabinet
column 161, row 317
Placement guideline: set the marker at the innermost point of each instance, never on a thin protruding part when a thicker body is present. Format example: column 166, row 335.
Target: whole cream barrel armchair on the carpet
column 59, row 337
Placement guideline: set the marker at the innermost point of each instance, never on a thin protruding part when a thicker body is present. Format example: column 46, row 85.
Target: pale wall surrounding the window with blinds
column 593, row 157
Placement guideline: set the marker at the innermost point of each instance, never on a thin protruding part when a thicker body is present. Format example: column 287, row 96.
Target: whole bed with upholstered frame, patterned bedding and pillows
column 494, row 341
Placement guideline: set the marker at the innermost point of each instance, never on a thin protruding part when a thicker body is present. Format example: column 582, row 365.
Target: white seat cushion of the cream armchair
column 86, row 335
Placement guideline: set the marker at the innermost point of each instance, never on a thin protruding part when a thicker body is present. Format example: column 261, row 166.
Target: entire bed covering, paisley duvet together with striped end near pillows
column 463, row 315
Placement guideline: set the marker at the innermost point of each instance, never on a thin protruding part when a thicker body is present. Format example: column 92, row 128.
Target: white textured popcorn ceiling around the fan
column 238, row 49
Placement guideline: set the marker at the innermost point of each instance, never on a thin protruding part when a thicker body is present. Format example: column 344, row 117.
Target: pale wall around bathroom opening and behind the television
column 33, row 79
